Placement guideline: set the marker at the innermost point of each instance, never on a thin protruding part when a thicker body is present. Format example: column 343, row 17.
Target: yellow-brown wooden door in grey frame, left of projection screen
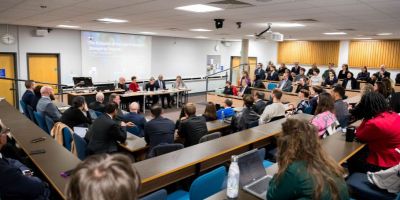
column 44, row 68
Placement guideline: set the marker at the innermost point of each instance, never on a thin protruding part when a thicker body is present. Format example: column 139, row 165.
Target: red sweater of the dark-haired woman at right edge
column 382, row 135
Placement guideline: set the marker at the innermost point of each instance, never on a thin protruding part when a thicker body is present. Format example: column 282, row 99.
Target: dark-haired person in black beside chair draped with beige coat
column 77, row 114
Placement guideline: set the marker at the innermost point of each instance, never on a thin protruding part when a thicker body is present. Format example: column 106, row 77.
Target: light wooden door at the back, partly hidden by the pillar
column 236, row 71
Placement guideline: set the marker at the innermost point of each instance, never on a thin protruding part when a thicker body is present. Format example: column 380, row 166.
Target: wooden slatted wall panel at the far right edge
column 373, row 53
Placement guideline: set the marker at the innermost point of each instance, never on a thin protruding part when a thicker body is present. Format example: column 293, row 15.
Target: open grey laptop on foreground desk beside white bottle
column 253, row 178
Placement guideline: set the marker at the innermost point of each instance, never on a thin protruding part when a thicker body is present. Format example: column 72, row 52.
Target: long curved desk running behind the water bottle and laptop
column 175, row 166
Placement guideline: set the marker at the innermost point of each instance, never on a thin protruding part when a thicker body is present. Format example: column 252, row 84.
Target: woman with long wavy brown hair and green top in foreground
column 305, row 170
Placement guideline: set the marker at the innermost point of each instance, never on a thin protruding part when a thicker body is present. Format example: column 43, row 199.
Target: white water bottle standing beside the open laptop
column 233, row 179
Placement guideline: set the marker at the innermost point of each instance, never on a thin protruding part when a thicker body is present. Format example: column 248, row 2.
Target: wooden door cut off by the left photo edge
column 7, row 70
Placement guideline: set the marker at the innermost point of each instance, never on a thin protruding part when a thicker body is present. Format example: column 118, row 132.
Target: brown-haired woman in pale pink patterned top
column 324, row 117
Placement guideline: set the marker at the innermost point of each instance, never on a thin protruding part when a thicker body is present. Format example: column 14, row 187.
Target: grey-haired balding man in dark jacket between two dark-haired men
column 138, row 119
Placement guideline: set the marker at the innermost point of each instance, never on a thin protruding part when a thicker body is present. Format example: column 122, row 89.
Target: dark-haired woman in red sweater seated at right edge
column 380, row 129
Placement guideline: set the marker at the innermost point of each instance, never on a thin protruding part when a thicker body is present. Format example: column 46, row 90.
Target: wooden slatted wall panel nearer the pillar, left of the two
column 309, row 52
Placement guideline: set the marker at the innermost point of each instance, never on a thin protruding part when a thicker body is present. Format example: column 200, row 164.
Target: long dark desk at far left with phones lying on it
column 56, row 159
